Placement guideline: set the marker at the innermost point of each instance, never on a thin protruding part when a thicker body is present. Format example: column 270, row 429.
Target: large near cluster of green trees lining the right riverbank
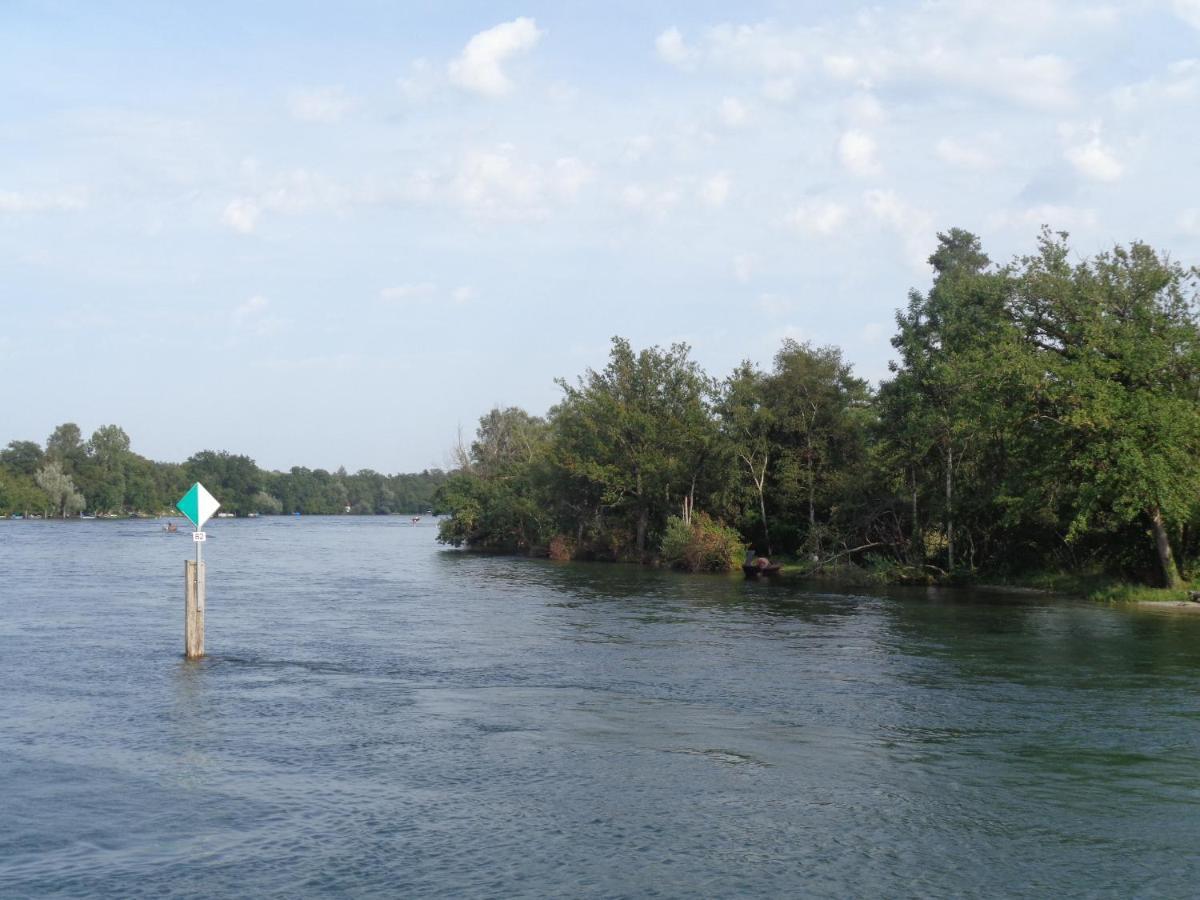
column 1041, row 415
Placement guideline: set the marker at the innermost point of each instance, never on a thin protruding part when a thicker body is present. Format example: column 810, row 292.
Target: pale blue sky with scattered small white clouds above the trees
column 332, row 235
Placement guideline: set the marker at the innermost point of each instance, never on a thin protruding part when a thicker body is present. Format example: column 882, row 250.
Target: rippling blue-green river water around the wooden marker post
column 381, row 717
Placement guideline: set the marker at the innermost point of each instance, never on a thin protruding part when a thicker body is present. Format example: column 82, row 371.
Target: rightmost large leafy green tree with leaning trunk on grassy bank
column 1119, row 341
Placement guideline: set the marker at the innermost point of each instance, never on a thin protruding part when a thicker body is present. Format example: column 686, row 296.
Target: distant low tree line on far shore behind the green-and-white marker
column 103, row 476
